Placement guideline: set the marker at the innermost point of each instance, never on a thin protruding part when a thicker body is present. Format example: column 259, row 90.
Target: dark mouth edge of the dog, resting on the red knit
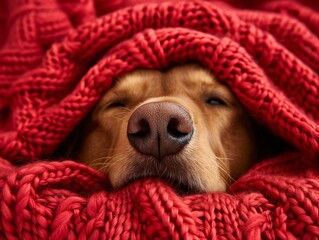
column 180, row 187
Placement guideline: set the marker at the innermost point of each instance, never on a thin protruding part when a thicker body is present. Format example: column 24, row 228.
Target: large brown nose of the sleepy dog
column 159, row 129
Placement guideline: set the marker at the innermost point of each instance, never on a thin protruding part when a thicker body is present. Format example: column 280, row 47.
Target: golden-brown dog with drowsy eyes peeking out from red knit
column 182, row 126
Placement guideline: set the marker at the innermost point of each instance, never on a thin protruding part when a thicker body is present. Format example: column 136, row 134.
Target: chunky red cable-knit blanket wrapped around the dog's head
column 58, row 57
